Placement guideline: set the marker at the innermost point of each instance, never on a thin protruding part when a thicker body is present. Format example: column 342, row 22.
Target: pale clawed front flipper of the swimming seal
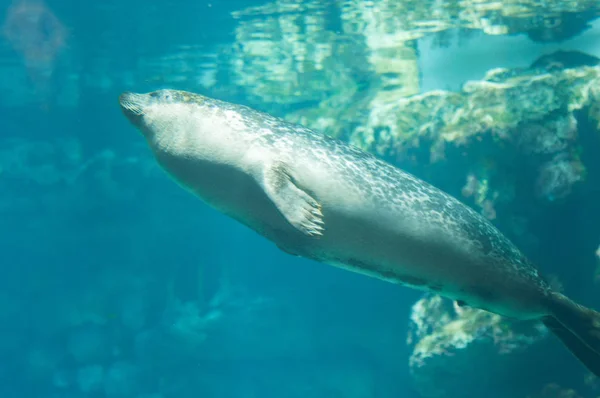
column 297, row 206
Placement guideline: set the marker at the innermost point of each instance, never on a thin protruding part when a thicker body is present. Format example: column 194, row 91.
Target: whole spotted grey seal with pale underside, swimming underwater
column 317, row 197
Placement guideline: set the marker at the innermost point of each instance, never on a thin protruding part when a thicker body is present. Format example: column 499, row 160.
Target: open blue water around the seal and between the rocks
column 117, row 283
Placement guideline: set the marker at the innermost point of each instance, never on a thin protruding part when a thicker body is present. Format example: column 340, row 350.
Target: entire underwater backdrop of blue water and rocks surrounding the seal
column 117, row 283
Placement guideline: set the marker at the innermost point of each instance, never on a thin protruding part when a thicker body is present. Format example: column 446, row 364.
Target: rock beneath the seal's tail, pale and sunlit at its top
column 455, row 347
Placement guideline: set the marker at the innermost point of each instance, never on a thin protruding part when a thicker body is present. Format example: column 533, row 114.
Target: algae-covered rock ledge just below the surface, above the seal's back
column 505, row 103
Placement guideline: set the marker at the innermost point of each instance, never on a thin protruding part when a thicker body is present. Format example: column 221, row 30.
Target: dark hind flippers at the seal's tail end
column 578, row 328
